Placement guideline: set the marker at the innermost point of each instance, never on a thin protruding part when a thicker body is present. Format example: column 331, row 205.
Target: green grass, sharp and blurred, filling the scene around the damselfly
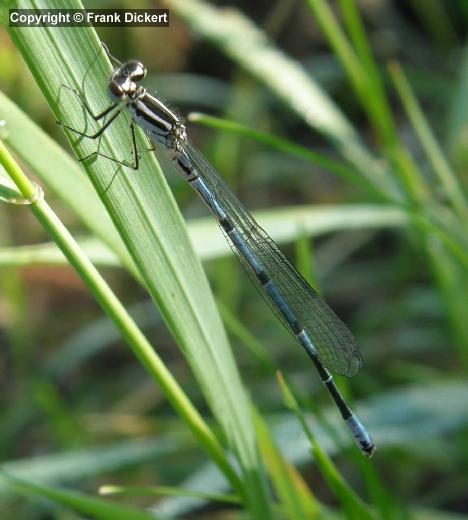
column 389, row 247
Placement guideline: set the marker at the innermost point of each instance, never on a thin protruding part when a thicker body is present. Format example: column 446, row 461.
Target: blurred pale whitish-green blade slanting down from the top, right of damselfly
column 247, row 45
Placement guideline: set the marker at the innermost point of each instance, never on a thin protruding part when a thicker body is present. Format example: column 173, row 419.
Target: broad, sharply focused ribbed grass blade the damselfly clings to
column 146, row 216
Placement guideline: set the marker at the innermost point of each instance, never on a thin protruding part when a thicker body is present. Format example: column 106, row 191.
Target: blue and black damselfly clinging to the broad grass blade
column 325, row 338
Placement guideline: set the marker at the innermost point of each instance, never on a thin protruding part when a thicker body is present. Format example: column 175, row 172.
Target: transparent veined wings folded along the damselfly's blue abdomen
column 335, row 345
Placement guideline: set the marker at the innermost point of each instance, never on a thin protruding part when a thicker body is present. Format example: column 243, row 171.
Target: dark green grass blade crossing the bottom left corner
column 94, row 507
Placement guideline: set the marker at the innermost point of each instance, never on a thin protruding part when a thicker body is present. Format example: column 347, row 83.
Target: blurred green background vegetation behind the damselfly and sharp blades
column 382, row 237
